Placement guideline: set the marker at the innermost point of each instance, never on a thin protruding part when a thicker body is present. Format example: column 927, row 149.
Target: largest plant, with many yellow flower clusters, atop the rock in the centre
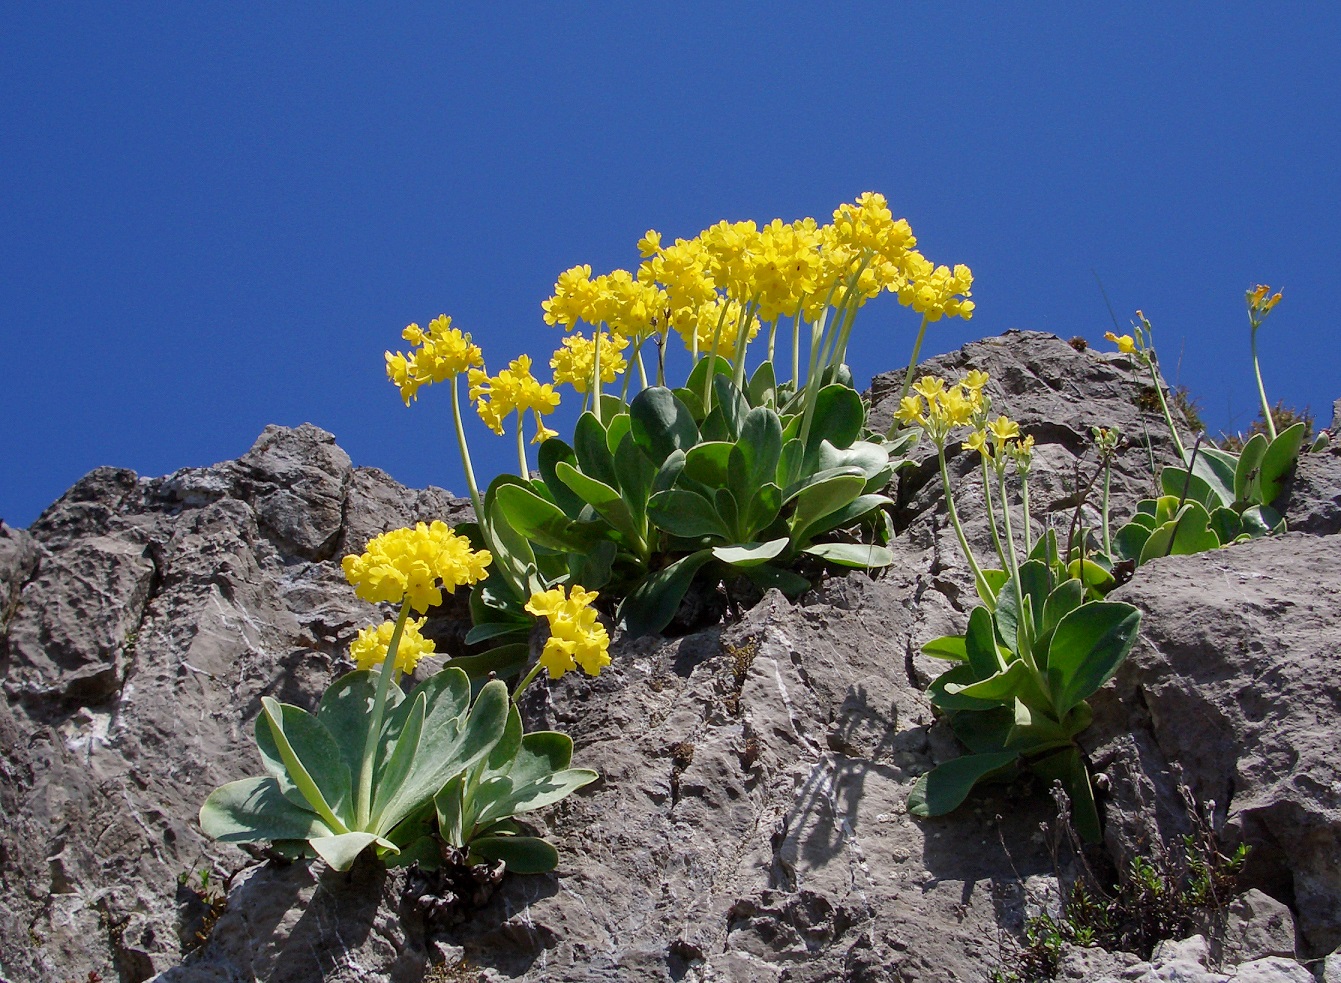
column 740, row 475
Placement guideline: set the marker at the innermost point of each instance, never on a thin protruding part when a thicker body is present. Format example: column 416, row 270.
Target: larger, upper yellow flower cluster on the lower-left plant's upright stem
column 415, row 565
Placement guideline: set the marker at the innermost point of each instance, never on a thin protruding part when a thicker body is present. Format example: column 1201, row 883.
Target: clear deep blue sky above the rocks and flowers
column 218, row 217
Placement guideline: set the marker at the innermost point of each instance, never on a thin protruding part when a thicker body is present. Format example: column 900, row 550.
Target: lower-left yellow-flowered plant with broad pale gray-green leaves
column 365, row 769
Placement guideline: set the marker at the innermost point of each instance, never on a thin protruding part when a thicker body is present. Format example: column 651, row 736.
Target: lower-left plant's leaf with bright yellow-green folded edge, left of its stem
column 300, row 753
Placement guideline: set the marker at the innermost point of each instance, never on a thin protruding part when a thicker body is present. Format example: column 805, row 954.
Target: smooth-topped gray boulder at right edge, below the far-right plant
column 1233, row 691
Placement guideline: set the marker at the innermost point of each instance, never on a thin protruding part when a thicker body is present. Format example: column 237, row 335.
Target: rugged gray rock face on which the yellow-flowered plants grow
column 750, row 823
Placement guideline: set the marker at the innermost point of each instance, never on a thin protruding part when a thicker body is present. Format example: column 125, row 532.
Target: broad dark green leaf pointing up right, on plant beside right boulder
column 1087, row 648
